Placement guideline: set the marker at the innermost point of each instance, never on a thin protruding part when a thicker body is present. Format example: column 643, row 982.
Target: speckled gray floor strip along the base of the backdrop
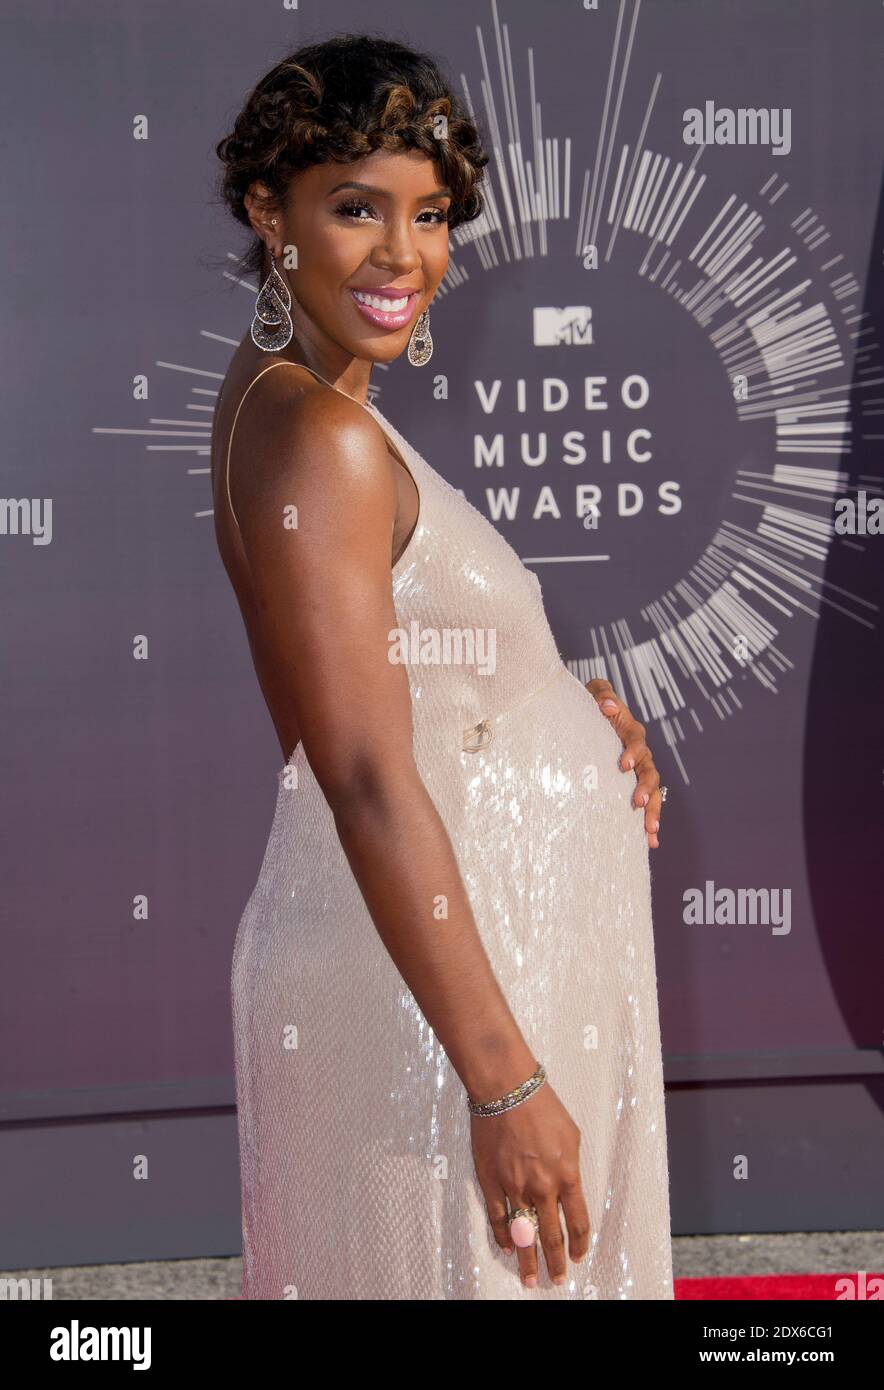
column 693, row 1256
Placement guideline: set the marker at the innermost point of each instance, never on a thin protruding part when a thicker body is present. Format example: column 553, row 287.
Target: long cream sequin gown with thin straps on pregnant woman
column 358, row 1177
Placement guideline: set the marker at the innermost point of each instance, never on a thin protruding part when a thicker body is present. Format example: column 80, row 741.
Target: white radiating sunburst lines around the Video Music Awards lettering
column 782, row 313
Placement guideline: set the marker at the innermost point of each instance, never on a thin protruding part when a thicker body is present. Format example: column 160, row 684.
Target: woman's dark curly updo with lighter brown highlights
column 343, row 101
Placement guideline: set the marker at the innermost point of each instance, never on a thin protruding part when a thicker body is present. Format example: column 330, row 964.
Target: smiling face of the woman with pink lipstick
column 372, row 241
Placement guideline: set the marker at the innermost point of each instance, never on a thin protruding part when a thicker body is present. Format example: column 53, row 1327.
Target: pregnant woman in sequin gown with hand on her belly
column 445, row 972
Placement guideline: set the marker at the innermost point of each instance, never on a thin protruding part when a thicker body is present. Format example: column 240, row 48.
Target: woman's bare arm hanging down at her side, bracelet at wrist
column 326, row 607
